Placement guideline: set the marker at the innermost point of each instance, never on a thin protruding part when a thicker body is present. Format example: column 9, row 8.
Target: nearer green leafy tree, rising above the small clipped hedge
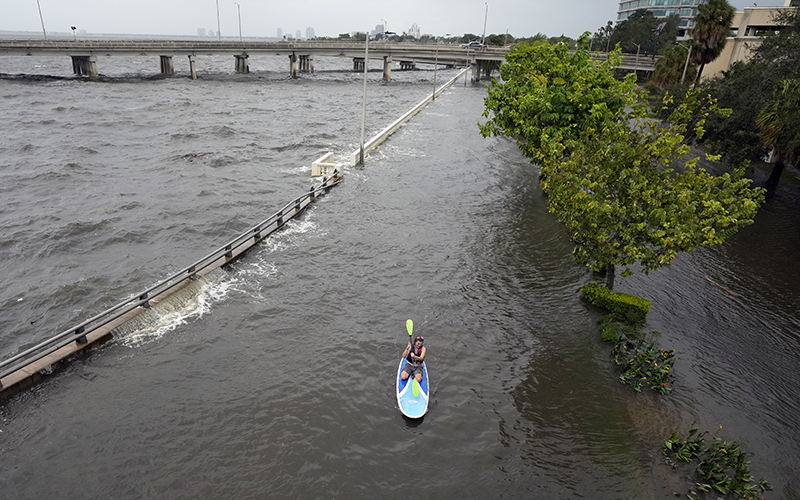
column 631, row 194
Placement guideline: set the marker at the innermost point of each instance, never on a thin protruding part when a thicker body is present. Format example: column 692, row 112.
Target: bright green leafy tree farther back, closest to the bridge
column 547, row 98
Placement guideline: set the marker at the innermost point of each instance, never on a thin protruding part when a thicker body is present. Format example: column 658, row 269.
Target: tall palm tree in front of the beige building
column 711, row 31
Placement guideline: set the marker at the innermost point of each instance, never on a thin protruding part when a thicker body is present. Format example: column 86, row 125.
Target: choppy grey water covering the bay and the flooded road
column 275, row 379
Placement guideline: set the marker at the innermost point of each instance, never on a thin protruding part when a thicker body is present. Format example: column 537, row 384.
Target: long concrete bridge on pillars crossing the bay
column 84, row 54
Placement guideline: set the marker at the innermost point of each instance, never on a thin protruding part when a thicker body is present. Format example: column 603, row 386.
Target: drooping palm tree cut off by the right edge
column 779, row 125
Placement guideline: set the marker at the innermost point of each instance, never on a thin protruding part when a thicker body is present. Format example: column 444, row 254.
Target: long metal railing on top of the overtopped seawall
column 247, row 239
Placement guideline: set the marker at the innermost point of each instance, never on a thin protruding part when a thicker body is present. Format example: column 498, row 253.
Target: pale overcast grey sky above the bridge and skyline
column 328, row 18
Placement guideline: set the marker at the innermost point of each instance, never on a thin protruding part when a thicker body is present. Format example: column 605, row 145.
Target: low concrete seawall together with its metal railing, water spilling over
column 39, row 357
